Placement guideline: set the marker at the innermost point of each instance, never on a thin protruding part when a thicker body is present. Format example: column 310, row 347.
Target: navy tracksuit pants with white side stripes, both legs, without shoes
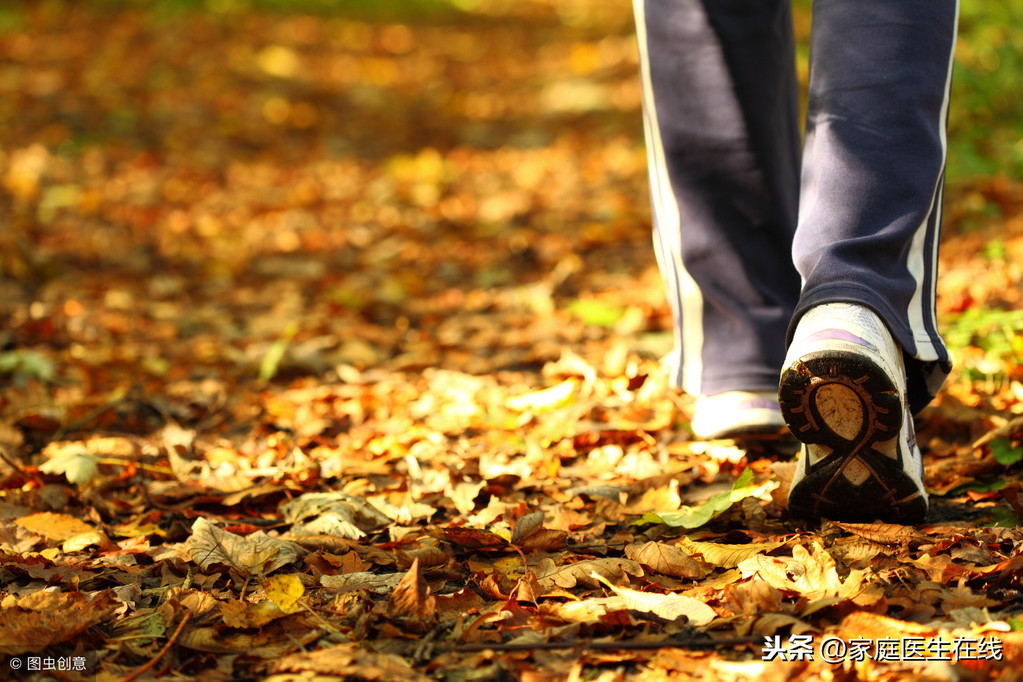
column 751, row 228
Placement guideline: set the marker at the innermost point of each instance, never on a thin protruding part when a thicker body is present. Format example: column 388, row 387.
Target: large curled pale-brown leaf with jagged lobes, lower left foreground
column 256, row 555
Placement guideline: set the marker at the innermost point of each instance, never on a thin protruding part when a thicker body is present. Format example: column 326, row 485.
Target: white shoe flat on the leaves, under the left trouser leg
column 739, row 416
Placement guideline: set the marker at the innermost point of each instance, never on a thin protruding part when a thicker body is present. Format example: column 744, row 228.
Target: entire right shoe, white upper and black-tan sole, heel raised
column 843, row 394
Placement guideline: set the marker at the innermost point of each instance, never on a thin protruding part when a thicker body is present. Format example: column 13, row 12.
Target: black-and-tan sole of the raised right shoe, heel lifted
column 847, row 403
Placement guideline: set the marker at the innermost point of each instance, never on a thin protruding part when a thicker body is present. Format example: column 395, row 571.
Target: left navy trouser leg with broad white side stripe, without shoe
column 721, row 114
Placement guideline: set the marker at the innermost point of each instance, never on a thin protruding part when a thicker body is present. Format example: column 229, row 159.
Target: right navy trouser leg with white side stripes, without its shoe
column 873, row 170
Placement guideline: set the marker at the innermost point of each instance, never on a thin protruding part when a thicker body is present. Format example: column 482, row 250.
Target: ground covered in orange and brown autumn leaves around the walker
column 330, row 350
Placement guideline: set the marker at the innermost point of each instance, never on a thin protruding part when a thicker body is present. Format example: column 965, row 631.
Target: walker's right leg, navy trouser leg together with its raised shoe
column 865, row 351
